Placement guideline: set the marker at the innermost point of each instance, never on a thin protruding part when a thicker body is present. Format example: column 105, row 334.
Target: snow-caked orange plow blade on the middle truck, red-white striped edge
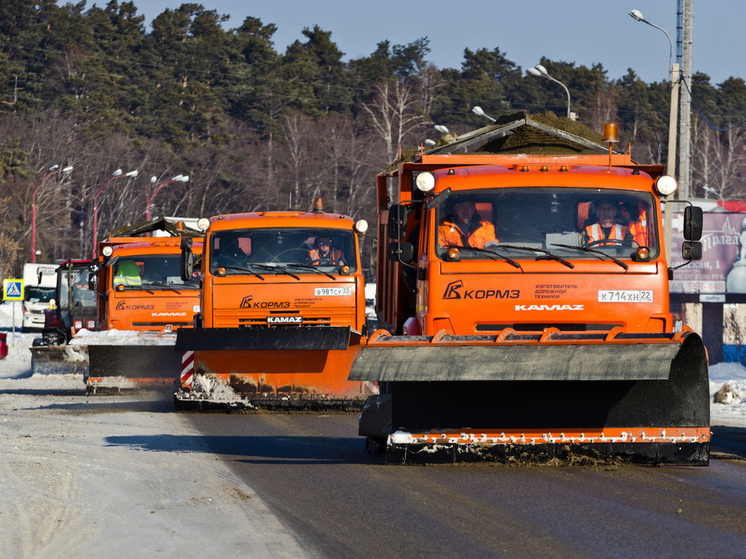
column 277, row 368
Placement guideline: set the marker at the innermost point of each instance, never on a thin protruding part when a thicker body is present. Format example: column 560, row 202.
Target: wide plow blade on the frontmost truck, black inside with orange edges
column 538, row 397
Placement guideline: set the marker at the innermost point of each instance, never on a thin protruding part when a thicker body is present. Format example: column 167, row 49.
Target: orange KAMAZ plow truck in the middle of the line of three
column 283, row 309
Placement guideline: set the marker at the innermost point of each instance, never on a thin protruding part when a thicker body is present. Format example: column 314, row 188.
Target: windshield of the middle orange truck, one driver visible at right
column 300, row 250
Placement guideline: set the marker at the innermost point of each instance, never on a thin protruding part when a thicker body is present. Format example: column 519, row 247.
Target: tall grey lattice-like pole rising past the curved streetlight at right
column 684, row 55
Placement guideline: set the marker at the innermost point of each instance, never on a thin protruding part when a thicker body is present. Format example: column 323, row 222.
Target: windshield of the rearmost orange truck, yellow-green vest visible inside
column 150, row 272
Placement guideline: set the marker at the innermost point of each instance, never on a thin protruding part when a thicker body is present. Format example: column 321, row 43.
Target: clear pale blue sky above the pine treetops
column 580, row 31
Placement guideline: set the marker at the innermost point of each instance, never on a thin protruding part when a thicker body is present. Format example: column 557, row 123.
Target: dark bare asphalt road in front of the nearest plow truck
column 313, row 472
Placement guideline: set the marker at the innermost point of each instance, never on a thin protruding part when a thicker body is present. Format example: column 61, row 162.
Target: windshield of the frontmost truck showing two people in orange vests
column 569, row 223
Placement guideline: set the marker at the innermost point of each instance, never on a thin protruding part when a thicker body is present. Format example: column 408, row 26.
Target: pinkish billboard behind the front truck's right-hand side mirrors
column 723, row 266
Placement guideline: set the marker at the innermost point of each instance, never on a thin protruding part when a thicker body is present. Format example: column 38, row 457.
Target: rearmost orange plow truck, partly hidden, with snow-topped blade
column 142, row 302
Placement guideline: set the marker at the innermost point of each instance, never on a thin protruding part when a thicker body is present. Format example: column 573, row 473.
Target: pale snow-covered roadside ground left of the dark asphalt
column 115, row 476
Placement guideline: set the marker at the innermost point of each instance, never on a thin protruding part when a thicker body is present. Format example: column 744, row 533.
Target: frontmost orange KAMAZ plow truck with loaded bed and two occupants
column 524, row 306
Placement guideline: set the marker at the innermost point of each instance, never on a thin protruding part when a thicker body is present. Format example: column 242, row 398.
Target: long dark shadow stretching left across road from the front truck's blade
column 264, row 450
